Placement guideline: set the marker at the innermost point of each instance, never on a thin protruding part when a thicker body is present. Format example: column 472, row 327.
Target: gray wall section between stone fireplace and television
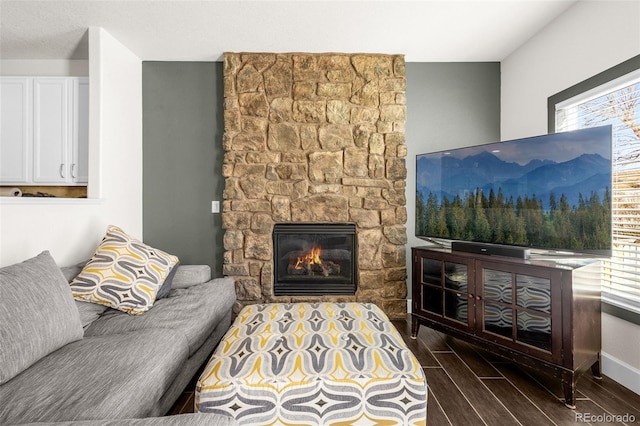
column 449, row 105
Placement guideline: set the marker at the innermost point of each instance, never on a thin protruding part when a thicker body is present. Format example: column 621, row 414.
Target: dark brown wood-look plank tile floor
column 469, row 386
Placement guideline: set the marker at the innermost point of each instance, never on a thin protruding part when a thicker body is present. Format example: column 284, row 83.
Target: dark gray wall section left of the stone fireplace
column 182, row 160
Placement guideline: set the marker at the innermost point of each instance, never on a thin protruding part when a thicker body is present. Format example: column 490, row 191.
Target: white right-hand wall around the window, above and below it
column 587, row 39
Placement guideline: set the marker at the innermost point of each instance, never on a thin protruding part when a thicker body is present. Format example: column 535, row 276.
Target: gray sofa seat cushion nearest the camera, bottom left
column 116, row 376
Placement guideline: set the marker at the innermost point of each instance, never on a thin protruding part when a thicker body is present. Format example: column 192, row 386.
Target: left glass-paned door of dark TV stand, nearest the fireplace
column 444, row 289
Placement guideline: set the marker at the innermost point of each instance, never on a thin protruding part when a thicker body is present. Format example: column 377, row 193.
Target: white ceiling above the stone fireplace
column 186, row 30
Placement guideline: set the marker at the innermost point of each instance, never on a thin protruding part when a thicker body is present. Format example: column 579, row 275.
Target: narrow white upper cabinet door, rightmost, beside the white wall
column 79, row 171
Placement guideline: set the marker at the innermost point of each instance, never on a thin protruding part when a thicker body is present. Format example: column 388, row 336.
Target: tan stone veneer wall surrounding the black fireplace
column 315, row 138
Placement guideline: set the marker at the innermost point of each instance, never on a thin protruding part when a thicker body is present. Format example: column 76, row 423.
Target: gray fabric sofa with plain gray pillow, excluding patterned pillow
column 115, row 365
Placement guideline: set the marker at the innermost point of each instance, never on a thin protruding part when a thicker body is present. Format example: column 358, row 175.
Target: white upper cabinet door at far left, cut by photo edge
column 15, row 125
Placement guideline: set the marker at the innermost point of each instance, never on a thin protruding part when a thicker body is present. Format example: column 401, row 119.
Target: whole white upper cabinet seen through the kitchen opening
column 57, row 131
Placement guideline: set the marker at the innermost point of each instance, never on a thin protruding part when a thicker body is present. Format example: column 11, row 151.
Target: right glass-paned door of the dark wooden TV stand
column 516, row 308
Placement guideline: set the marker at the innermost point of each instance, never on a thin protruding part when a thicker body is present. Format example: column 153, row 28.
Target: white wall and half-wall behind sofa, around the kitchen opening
column 71, row 229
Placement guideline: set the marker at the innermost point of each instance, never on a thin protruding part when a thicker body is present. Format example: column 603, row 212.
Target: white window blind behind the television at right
column 616, row 103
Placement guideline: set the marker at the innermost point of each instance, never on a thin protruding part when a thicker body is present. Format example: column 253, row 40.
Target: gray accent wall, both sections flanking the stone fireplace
column 448, row 105
